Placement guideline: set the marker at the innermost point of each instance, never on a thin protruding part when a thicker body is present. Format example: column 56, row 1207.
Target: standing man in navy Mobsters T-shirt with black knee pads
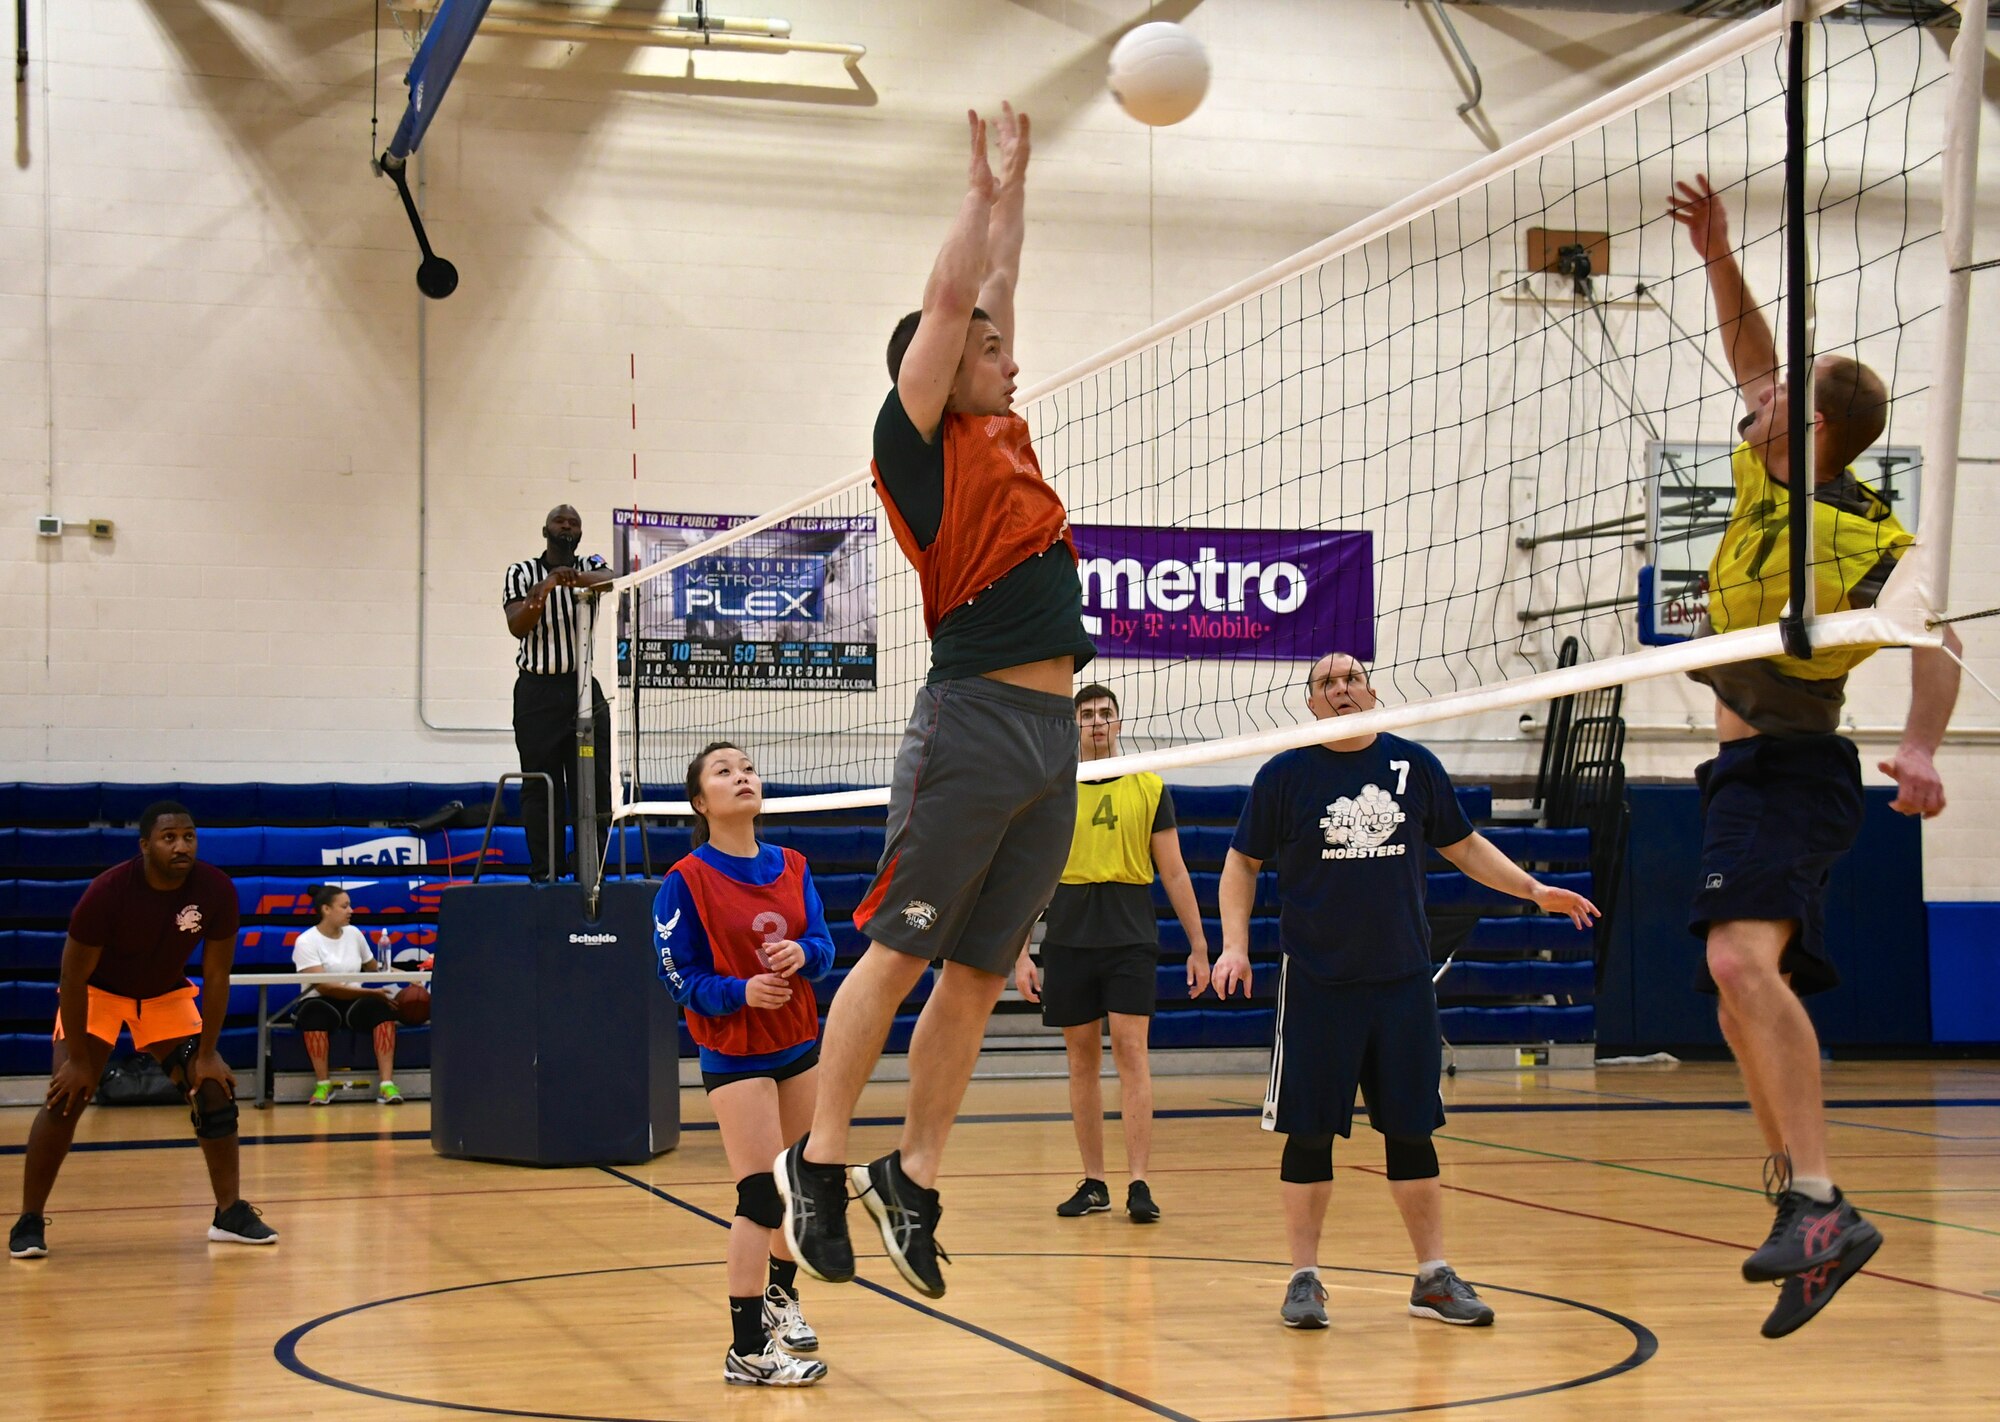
column 1351, row 827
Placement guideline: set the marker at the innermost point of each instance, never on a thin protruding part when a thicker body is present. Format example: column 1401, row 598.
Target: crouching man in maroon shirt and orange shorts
column 125, row 967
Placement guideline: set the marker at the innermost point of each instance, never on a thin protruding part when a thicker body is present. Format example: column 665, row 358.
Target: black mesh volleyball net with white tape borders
column 1389, row 389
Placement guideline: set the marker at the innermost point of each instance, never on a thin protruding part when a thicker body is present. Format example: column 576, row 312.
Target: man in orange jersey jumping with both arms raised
column 985, row 789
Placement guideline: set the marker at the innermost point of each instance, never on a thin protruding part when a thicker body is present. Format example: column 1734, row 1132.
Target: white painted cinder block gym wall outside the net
column 211, row 335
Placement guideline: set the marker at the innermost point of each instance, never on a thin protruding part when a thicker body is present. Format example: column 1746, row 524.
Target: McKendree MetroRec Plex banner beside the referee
column 791, row 609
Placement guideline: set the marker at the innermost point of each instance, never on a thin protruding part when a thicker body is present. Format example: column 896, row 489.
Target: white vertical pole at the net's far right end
column 1925, row 579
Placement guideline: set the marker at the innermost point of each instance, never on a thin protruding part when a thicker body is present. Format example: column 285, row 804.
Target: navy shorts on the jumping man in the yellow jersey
column 1777, row 817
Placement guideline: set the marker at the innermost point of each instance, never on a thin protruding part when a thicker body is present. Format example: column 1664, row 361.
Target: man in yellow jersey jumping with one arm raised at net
column 1783, row 799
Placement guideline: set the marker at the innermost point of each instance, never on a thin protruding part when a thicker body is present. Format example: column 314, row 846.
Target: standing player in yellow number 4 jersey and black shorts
column 1103, row 951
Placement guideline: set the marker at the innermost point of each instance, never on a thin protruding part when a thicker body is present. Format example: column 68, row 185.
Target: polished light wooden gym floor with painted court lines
column 1601, row 1213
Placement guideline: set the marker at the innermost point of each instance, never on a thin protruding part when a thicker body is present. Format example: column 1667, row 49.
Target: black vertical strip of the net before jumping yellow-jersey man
column 1803, row 475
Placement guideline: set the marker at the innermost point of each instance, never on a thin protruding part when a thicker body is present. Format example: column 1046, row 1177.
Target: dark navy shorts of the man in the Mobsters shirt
column 1381, row 1037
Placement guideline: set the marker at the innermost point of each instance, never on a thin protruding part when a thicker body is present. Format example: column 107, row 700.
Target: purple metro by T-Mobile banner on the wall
column 1227, row 593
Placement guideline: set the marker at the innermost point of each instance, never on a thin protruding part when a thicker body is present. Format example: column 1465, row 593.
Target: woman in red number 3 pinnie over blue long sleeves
column 739, row 931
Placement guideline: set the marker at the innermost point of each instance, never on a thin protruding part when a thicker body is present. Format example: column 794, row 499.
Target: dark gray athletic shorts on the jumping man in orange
column 981, row 815
